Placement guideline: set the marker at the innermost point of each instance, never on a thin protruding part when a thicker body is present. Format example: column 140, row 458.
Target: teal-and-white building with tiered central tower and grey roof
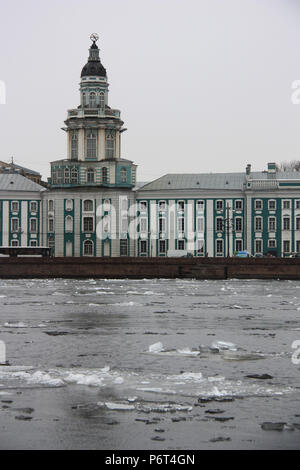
column 95, row 207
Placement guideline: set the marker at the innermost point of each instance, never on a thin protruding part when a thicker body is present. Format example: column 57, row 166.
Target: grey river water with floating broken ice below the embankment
column 149, row 364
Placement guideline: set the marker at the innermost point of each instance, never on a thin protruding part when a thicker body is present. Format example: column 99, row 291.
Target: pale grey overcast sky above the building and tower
column 202, row 85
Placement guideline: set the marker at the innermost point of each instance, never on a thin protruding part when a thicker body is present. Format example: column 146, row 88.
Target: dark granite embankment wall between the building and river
column 139, row 268
